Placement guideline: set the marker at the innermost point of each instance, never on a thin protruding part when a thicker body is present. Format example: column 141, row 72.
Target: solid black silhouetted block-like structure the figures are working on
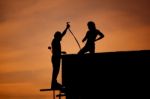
column 109, row 74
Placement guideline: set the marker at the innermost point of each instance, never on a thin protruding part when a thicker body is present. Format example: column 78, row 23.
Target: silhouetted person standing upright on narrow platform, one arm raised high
column 56, row 56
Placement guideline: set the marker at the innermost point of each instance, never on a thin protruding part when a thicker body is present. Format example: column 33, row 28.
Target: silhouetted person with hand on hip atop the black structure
column 90, row 38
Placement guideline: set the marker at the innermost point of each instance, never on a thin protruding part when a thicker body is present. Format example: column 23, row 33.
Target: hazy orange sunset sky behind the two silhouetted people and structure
column 27, row 28
